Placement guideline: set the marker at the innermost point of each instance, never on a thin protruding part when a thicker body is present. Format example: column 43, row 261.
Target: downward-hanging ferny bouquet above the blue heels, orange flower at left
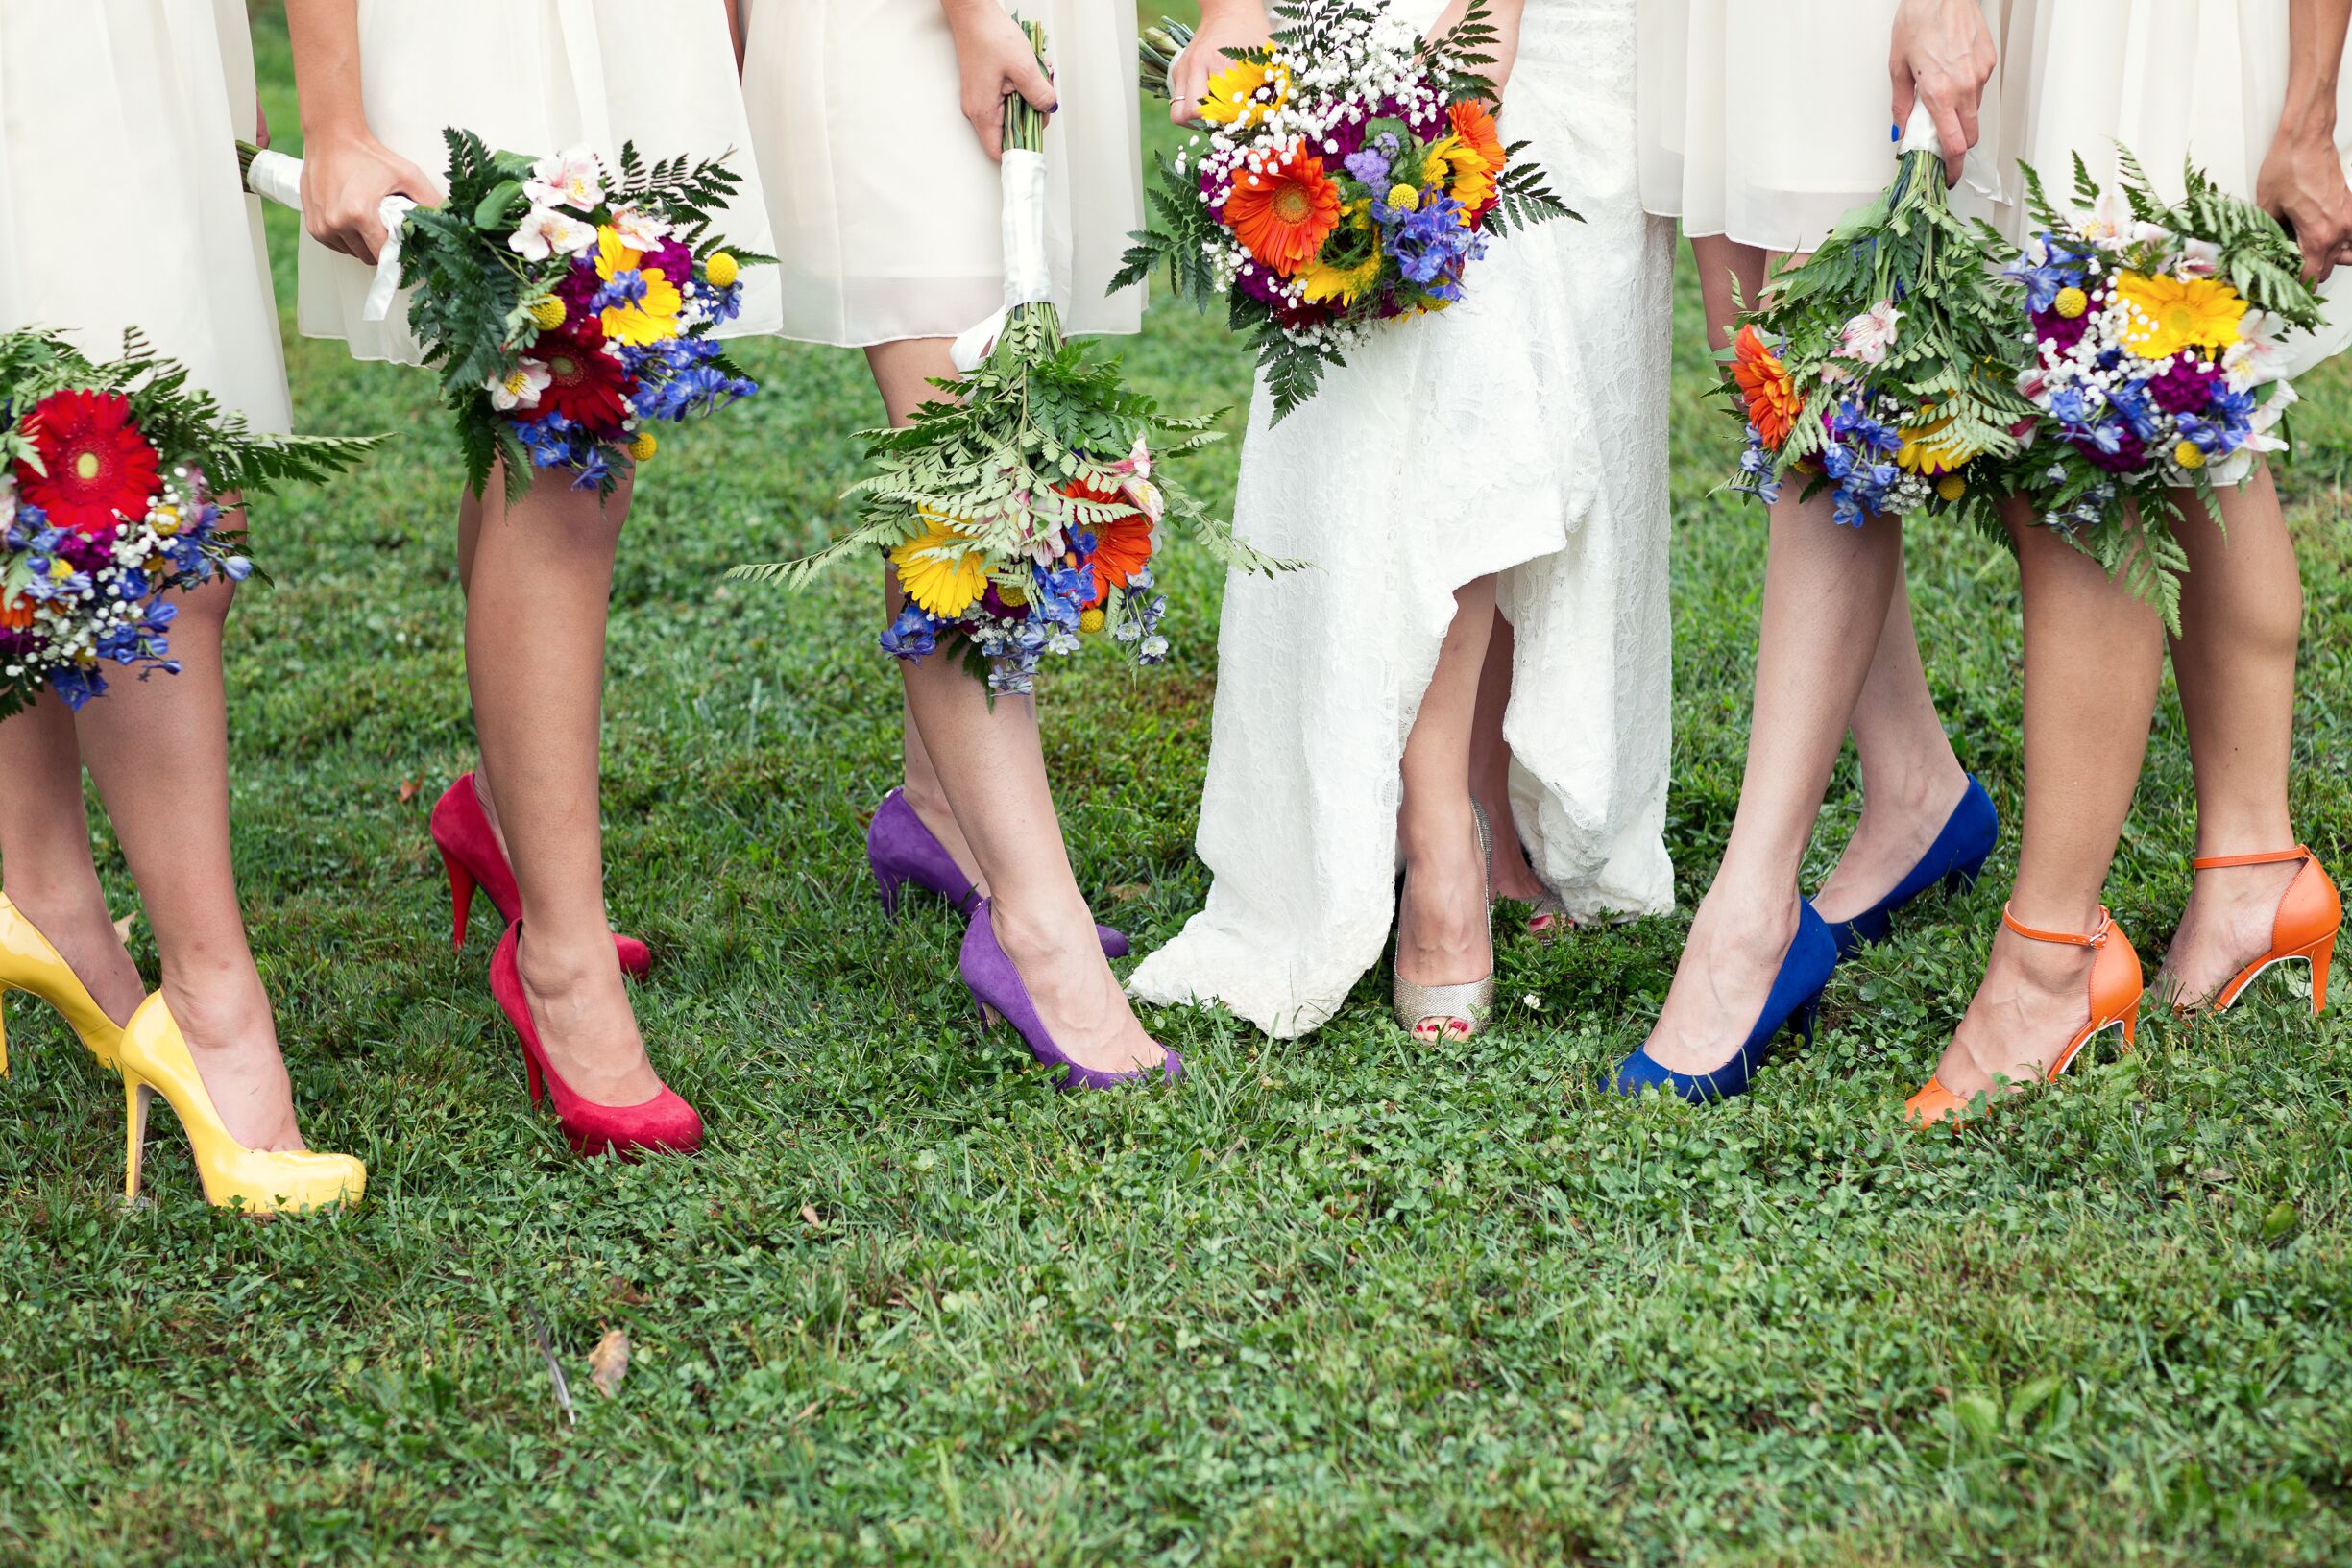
column 1883, row 368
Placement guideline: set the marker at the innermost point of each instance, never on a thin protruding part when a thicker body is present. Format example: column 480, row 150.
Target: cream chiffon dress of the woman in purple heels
column 883, row 203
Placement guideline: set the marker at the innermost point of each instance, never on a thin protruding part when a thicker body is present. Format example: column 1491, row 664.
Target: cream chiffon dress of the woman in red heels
column 542, row 76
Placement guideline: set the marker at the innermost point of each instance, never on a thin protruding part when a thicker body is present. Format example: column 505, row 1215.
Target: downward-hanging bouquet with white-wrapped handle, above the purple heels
column 1024, row 509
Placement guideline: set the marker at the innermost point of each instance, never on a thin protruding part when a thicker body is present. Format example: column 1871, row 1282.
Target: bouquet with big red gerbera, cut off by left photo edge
column 109, row 502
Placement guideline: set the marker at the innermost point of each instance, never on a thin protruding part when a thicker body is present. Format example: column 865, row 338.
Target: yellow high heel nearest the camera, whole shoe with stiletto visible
column 156, row 1061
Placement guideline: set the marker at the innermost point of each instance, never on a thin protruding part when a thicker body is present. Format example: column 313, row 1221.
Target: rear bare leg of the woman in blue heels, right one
column 1911, row 777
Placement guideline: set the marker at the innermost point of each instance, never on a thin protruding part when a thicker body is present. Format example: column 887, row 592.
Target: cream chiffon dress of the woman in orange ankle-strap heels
column 2174, row 81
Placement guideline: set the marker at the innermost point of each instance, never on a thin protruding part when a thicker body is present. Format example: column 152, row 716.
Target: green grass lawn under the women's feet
column 1349, row 1299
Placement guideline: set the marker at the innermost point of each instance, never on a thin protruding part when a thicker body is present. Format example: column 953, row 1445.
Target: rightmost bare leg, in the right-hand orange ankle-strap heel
column 2236, row 664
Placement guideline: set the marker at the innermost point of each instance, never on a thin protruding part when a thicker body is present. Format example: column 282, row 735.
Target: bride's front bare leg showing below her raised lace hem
column 1443, row 923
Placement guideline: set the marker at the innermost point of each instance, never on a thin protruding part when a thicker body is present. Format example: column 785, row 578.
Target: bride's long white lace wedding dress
column 1518, row 434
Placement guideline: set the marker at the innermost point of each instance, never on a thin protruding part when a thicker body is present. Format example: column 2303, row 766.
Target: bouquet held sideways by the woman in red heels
column 566, row 307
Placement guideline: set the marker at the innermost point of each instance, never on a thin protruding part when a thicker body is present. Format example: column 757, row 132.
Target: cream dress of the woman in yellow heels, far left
column 119, row 189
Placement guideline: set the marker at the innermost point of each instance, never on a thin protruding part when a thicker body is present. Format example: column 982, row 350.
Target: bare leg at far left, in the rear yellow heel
column 46, row 864
